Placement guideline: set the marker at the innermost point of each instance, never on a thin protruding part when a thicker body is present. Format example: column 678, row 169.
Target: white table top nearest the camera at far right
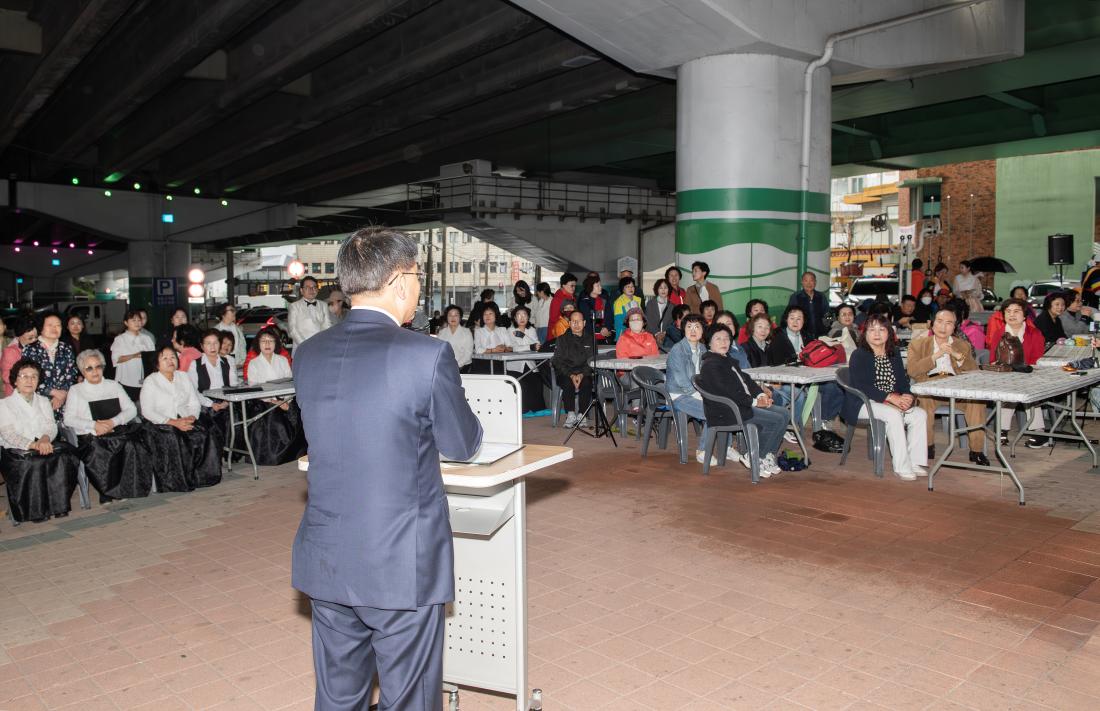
column 1008, row 388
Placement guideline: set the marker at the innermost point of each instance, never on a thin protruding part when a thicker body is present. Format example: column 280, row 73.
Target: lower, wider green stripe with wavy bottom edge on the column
column 696, row 237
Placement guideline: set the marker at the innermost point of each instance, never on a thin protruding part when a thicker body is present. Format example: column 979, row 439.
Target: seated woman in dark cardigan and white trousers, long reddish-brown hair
column 876, row 369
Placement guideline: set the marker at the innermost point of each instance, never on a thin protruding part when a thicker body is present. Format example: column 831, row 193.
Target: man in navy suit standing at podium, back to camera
column 375, row 550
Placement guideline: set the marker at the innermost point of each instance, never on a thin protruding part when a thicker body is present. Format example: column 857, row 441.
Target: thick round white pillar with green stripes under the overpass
column 741, row 206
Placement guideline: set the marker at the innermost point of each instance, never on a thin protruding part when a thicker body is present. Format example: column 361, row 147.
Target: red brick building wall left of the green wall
column 959, row 242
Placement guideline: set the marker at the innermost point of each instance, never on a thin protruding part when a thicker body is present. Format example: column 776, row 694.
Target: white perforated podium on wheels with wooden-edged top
column 487, row 625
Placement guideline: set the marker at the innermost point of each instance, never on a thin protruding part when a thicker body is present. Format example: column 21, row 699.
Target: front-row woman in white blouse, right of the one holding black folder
column 184, row 449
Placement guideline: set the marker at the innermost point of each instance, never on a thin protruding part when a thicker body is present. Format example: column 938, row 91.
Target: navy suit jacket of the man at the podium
column 380, row 404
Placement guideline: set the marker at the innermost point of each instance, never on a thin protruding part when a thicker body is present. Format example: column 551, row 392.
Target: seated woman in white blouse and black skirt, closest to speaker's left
column 278, row 437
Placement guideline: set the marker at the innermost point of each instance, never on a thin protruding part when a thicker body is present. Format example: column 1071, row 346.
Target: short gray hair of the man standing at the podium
column 369, row 257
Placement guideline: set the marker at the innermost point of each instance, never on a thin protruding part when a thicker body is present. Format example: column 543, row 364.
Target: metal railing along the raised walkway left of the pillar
column 494, row 195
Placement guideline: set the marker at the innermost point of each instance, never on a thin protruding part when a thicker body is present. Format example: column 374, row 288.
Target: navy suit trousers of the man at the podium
column 404, row 647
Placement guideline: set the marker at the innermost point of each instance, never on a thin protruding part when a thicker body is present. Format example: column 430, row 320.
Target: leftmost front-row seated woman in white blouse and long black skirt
column 39, row 472
